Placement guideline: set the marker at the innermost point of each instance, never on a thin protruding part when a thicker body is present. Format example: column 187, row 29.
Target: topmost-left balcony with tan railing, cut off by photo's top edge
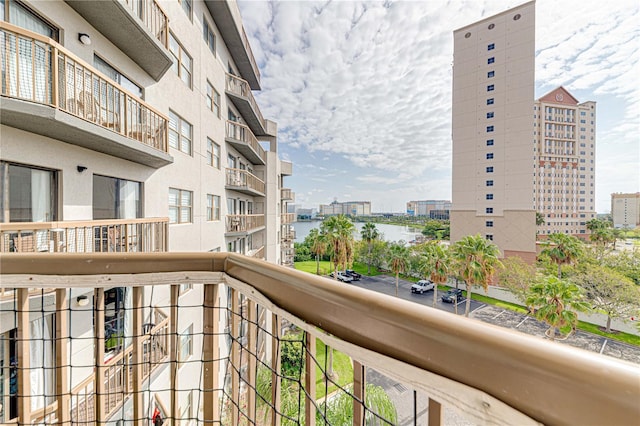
column 139, row 28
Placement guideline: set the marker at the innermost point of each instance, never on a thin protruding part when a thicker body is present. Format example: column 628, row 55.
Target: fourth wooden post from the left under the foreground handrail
column 138, row 358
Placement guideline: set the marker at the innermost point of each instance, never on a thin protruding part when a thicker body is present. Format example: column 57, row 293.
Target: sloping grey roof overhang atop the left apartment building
column 229, row 22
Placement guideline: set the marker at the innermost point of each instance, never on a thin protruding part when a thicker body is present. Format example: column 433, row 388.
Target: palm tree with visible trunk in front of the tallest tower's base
column 477, row 260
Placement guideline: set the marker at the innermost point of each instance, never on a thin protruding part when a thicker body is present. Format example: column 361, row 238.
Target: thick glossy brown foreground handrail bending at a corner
column 550, row 382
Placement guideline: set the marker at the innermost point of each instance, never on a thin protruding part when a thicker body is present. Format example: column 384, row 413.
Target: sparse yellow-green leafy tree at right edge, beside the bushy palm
column 609, row 292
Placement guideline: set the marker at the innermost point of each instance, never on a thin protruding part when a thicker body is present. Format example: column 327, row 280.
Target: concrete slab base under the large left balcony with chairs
column 53, row 123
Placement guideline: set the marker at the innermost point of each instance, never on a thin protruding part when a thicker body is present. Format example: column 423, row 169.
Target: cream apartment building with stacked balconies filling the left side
column 132, row 127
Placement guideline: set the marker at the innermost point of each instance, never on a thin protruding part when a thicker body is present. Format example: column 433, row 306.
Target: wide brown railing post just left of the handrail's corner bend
column 211, row 364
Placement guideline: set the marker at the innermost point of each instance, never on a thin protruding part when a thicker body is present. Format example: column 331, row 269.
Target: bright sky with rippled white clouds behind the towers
column 361, row 90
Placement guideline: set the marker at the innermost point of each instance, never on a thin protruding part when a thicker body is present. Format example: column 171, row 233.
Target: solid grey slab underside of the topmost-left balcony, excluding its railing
column 127, row 32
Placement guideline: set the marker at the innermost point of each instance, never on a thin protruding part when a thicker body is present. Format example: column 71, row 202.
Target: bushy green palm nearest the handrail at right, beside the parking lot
column 556, row 302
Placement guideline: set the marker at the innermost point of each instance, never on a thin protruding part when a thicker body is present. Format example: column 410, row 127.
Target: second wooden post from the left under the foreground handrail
column 62, row 358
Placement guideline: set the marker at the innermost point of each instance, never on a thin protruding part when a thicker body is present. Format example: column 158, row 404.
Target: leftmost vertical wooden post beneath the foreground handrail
column 24, row 358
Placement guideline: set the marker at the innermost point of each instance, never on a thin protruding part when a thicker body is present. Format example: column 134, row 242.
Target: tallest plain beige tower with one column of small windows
column 493, row 145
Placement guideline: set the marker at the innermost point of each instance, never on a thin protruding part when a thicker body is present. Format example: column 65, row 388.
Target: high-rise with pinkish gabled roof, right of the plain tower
column 565, row 149
